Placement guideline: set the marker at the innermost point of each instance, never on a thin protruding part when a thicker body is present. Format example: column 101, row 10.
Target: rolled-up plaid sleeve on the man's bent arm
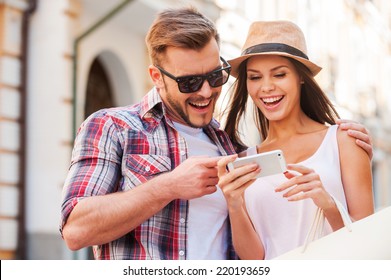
column 95, row 164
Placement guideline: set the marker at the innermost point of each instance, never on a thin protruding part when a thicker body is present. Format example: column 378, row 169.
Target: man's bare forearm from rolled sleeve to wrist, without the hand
column 103, row 218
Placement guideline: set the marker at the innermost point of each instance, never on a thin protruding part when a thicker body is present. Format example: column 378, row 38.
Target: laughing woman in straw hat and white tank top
column 272, row 215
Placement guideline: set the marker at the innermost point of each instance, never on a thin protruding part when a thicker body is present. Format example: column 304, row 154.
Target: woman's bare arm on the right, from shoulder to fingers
column 356, row 180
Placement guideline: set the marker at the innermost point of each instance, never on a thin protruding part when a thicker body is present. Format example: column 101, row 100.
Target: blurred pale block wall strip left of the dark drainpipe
column 11, row 15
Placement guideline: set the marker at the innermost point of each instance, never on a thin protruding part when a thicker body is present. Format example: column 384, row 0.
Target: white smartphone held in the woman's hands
column 271, row 163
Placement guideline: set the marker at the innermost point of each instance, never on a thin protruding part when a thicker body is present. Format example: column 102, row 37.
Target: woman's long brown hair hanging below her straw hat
column 313, row 101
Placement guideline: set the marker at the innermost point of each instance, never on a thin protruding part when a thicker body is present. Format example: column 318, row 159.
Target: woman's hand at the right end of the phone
column 305, row 183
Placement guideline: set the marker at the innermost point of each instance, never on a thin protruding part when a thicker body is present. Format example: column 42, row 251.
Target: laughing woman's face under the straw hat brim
column 274, row 85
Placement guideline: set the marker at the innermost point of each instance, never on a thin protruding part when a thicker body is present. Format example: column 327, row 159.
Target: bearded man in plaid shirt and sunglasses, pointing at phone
column 142, row 182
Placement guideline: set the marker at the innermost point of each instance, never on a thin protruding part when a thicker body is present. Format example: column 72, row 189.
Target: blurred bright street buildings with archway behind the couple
column 60, row 60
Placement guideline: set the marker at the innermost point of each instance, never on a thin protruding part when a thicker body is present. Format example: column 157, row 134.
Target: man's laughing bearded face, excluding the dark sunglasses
column 193, row 109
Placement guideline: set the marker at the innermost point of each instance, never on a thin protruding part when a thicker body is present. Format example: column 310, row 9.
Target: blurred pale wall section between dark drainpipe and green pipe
column 48, row 126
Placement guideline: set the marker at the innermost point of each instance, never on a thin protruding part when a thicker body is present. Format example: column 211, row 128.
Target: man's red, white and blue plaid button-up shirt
column 118, row 149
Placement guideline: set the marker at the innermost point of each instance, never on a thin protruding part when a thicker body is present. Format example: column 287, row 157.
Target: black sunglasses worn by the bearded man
column 193, row 83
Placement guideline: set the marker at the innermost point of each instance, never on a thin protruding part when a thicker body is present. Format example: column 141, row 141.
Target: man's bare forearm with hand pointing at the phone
column 104, row 218
